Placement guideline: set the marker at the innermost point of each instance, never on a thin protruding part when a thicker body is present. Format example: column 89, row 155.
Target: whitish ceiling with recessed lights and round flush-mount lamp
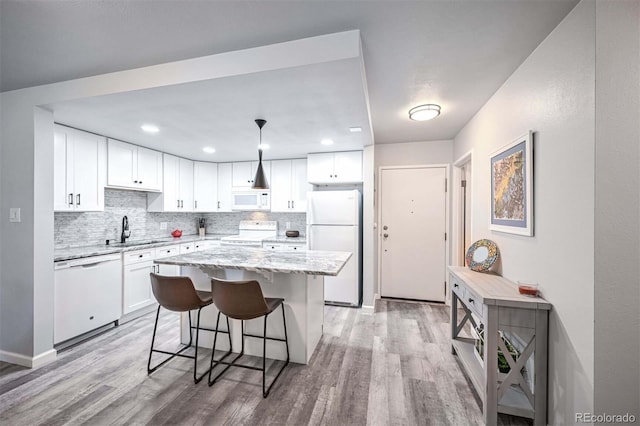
column 453, row 53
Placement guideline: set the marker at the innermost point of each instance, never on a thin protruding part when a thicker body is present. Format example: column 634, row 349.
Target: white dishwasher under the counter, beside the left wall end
column 88, row 295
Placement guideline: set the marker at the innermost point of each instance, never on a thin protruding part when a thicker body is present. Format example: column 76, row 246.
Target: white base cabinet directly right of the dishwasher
column 137, row 292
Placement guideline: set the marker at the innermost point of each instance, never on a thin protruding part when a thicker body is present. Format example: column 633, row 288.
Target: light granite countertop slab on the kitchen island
column 311, row 262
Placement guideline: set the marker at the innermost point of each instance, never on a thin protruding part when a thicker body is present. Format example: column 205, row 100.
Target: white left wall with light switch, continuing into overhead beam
column 26, row 172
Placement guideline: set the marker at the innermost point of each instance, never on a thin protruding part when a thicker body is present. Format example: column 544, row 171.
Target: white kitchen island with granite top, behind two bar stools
column 298, row 277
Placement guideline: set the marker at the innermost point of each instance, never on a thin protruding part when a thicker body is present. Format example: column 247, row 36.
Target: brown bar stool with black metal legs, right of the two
column 244, row 300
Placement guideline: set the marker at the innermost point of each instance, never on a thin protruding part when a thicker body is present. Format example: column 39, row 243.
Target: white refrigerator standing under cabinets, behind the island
column 333, row 223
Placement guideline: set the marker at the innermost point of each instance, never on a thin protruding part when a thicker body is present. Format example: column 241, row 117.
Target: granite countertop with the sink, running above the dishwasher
column 69, row 253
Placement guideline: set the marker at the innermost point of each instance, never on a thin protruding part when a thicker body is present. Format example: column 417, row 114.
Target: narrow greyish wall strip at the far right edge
column 617, row 215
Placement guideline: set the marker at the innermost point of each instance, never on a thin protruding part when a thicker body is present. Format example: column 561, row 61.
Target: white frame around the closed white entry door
column 447, row 209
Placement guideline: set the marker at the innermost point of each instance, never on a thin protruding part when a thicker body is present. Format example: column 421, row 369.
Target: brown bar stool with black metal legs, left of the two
column 179, row 295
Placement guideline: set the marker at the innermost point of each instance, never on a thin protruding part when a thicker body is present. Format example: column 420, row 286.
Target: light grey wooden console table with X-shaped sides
column 496, row 303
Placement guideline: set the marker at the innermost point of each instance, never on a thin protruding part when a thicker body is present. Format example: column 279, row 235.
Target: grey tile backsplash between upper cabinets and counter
column 89, row 228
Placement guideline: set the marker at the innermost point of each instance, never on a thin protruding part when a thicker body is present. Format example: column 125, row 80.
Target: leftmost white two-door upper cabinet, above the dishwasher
column 80, row 170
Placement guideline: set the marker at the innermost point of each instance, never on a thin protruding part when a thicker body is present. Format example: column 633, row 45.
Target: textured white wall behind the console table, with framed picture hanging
column 552, row 93
